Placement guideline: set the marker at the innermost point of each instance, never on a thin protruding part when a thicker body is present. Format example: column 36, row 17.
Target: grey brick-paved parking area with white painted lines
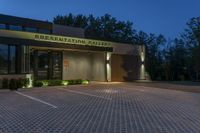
column 101, row 108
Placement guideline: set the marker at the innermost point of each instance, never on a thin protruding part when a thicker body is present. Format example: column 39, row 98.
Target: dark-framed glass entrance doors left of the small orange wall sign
column 46, row 64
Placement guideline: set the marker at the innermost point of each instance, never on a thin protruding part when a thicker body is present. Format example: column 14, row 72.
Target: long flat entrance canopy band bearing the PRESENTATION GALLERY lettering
column 48, row 40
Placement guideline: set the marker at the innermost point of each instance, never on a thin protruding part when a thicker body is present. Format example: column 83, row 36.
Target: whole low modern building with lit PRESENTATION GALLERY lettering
column 49, row 51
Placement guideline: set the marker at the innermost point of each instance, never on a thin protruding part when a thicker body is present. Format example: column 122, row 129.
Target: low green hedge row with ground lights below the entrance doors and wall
column 41, row 83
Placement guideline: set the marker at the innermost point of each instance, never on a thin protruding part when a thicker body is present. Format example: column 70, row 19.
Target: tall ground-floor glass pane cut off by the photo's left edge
column 3, row 59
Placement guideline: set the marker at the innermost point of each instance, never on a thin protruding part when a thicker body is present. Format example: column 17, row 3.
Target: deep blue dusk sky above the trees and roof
column 167, row 17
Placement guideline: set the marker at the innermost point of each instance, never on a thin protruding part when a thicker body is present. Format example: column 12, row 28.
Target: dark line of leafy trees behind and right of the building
column 176, row 59
